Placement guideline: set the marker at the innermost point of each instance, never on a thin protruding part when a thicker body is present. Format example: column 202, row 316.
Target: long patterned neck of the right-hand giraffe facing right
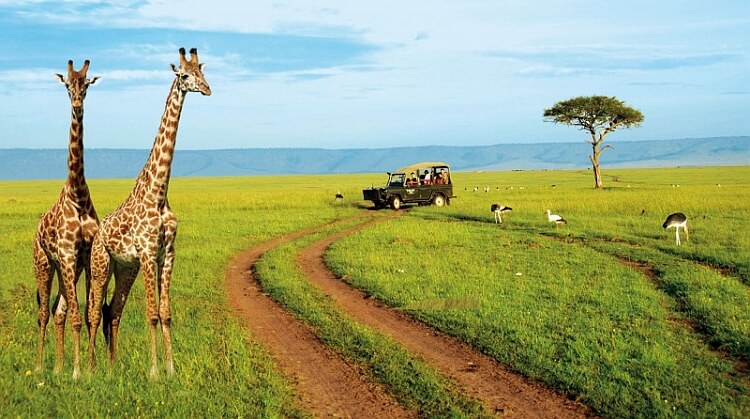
column 153, row 181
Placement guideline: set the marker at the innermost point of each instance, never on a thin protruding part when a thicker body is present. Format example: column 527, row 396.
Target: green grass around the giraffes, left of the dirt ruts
column 220, row 371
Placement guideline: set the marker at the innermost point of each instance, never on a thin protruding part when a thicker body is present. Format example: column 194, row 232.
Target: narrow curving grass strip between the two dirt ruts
column 413, row 382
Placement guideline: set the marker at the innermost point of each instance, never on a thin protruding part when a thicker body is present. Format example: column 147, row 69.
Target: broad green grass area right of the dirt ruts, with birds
column 559, row 307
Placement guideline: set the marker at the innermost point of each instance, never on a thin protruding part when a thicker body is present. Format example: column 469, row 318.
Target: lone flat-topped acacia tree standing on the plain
column 598, row 115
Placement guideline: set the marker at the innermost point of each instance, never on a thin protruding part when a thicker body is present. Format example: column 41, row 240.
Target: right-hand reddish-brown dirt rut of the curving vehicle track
column 502, row 391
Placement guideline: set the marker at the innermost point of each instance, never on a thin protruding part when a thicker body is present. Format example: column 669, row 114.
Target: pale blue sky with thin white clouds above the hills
column 355, row 74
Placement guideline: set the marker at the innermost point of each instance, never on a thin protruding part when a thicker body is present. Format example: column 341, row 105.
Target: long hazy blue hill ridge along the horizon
column 16, row 164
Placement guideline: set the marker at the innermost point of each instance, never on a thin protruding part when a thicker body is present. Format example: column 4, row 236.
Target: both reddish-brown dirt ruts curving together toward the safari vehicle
column 328, row 385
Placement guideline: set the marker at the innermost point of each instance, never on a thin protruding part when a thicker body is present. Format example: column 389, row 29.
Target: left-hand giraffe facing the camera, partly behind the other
column 62, row 244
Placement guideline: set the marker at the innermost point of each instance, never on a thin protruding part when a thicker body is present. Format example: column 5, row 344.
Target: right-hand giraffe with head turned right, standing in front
column 139, row 235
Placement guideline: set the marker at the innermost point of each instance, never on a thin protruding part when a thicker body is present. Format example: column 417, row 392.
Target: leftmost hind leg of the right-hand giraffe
column 100, row 269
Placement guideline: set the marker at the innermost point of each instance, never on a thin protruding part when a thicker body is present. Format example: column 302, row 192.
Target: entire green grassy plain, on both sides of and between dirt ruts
column 605, row 309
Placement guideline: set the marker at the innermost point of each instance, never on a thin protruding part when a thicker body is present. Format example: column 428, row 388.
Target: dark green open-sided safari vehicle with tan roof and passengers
column 423, row 183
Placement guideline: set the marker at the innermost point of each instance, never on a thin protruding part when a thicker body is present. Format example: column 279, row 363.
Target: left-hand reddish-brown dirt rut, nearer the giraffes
column 326, row 384
